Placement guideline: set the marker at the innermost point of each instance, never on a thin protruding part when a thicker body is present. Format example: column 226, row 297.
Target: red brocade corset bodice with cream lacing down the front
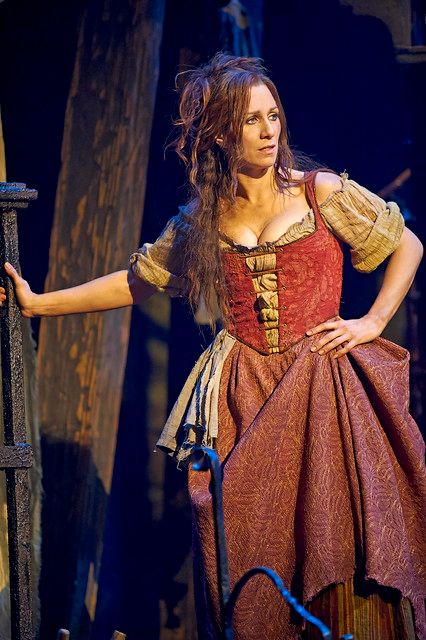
column 276, row 293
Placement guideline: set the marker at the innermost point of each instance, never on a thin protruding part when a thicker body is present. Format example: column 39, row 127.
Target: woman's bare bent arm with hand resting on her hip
column 399, row 275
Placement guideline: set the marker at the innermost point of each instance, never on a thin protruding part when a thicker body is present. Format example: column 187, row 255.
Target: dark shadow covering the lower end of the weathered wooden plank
column 67, row 470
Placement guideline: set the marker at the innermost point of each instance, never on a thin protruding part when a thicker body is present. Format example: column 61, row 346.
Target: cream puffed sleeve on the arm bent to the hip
column 371, row 226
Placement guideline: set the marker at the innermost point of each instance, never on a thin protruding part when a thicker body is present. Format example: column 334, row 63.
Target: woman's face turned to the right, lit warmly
column 261, row 130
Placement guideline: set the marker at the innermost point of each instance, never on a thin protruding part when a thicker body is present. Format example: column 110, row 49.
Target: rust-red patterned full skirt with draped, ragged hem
column 323, row 480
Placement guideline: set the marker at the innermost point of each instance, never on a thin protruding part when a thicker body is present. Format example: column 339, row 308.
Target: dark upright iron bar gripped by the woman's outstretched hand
column 16, row 455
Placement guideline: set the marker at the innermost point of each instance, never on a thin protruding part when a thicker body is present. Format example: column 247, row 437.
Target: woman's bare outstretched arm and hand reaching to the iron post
column 115, row 290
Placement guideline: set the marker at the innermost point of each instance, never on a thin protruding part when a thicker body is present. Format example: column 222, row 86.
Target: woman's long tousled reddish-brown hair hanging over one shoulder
column 214, row 99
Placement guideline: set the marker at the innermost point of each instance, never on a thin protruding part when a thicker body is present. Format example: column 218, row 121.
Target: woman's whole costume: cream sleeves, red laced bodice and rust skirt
column 323, row 476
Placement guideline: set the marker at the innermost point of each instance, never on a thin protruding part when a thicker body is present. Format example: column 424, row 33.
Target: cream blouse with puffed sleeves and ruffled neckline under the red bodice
column 370, row 226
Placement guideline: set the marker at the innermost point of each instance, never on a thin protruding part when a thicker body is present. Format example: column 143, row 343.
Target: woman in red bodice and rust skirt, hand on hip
column 322, row 464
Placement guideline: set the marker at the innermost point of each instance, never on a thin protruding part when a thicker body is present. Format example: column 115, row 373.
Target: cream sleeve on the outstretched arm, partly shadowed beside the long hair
column 161, row 263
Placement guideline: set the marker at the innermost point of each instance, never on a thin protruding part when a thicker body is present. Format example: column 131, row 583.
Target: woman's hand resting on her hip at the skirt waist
column 343, row 335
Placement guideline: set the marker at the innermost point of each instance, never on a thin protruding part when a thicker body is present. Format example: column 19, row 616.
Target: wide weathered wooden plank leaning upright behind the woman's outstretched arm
column 97, row 223
